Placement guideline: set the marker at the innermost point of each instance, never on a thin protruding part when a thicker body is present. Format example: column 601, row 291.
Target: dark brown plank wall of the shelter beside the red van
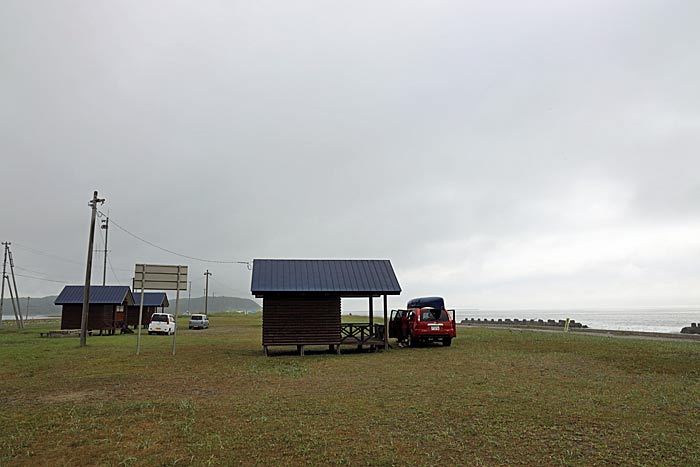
column 301, row 320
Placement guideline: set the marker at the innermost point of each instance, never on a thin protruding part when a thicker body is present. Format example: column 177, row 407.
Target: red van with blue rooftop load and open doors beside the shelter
column 424, row 320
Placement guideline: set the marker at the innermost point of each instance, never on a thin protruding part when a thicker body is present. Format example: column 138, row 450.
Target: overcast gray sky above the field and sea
column 503, row 154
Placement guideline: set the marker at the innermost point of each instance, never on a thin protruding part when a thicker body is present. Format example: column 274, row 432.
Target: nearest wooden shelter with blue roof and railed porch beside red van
column 302, row 301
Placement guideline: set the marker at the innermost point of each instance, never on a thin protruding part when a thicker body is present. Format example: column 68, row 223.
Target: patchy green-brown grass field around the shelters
column 496, row 397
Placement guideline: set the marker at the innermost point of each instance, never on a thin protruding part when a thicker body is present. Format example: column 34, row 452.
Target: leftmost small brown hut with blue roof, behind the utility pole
column 107, row 310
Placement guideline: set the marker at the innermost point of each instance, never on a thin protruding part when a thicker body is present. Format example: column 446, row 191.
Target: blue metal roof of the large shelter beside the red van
column 347, row 277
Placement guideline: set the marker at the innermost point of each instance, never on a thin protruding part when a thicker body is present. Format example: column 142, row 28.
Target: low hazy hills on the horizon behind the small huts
column 44, row 306
